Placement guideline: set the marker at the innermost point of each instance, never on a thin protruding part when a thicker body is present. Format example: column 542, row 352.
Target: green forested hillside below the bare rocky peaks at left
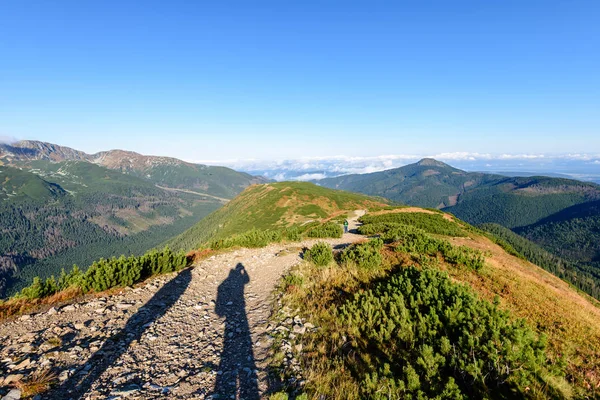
column 75, row 212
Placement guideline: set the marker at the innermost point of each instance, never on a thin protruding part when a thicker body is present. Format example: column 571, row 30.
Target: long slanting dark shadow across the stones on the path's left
column 81, row 382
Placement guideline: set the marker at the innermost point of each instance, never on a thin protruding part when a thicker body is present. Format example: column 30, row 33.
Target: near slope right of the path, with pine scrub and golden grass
column 433, row 308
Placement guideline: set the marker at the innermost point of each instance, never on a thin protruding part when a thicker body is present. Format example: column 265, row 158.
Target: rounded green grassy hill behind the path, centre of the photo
column 272, row 206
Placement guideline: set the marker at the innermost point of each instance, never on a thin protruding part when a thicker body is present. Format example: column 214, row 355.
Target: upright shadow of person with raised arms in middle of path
column 237, row 368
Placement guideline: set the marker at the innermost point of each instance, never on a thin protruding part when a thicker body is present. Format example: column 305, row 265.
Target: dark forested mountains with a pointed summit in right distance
column 559, row 214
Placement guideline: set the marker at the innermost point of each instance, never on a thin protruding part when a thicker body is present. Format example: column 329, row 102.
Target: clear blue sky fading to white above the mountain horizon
column 250, row 79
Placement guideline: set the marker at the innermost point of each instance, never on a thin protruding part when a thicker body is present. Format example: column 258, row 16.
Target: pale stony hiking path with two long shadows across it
column 201, row 333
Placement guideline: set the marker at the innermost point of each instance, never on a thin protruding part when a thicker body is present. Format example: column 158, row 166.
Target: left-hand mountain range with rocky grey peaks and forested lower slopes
column 60, row 206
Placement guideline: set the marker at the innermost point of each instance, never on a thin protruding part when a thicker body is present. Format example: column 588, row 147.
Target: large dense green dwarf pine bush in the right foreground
column 419, row 335
